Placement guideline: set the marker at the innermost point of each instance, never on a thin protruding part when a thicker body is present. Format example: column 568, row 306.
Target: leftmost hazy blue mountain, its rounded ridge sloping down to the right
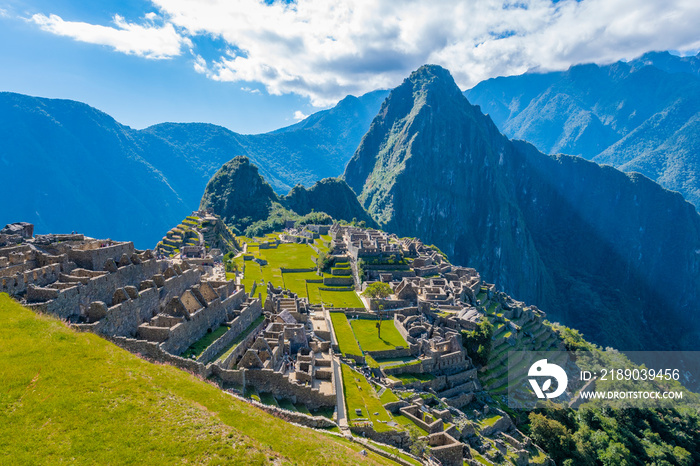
column 68, row 166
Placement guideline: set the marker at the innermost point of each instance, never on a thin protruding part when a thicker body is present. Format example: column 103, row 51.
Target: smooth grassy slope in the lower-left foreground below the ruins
column 69, row 397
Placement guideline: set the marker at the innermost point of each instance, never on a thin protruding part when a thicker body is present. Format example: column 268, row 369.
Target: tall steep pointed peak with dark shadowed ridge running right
column 613, row 254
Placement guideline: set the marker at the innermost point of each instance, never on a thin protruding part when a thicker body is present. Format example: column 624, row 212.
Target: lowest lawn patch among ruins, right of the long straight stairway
column 360, row 394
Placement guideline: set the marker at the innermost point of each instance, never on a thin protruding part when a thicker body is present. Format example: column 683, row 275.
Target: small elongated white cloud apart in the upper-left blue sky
column 150, row 41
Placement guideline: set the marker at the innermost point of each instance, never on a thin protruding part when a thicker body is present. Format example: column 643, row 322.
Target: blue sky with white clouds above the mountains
column 254, row 66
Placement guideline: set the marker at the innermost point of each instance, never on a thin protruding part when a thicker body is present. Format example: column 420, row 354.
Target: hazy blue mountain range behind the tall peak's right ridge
column 637, row 116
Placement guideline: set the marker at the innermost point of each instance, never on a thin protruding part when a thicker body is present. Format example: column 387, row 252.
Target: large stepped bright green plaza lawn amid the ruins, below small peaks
column 305, row 281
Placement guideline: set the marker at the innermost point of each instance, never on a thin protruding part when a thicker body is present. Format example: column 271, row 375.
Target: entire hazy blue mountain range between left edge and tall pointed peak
column 75, row 167
